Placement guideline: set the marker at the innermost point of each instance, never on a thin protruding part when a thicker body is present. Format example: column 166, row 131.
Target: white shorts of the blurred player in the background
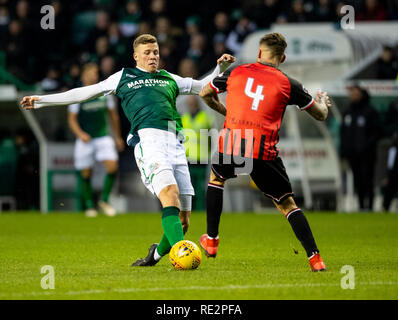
column 98, row 149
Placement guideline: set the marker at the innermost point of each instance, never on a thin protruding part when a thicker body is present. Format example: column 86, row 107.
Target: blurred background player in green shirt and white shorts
column 88, row 121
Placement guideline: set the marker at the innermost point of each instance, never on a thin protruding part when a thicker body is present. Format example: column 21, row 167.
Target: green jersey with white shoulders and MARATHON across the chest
column 148, row 99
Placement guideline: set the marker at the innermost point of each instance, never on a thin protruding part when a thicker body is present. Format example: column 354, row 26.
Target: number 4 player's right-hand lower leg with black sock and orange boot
column 303, row 232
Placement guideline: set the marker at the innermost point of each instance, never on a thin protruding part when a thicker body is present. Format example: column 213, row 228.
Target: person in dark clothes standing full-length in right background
column 359, row 135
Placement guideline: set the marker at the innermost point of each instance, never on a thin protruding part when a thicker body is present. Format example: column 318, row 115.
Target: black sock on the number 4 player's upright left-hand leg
column 214, row 202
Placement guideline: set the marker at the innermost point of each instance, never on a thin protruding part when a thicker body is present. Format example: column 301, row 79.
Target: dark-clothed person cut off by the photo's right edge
column 391, row 131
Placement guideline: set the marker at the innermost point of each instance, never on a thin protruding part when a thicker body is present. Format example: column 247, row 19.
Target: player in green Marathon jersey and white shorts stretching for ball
column 148, row 98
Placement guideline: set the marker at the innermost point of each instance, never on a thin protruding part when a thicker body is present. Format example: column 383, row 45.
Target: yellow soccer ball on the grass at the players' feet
column 185, row 255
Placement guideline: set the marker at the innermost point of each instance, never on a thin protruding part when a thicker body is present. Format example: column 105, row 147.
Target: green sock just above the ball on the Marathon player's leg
column 172, row 226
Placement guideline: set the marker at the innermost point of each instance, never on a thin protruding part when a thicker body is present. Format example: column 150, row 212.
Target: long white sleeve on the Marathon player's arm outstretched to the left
column 82, row 94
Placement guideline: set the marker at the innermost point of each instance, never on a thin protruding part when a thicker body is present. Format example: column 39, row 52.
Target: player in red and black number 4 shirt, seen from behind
column 257, row 97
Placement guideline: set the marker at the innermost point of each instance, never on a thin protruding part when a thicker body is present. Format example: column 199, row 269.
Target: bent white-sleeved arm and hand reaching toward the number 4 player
column 191, row 86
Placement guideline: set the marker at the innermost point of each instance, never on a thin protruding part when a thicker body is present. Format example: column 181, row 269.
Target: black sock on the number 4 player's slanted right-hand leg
column 302, row 231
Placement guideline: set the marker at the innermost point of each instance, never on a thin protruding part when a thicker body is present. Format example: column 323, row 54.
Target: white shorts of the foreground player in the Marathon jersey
column 161, row 159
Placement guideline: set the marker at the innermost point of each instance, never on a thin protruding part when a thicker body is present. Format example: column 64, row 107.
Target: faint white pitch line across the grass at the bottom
column 229, row 287
